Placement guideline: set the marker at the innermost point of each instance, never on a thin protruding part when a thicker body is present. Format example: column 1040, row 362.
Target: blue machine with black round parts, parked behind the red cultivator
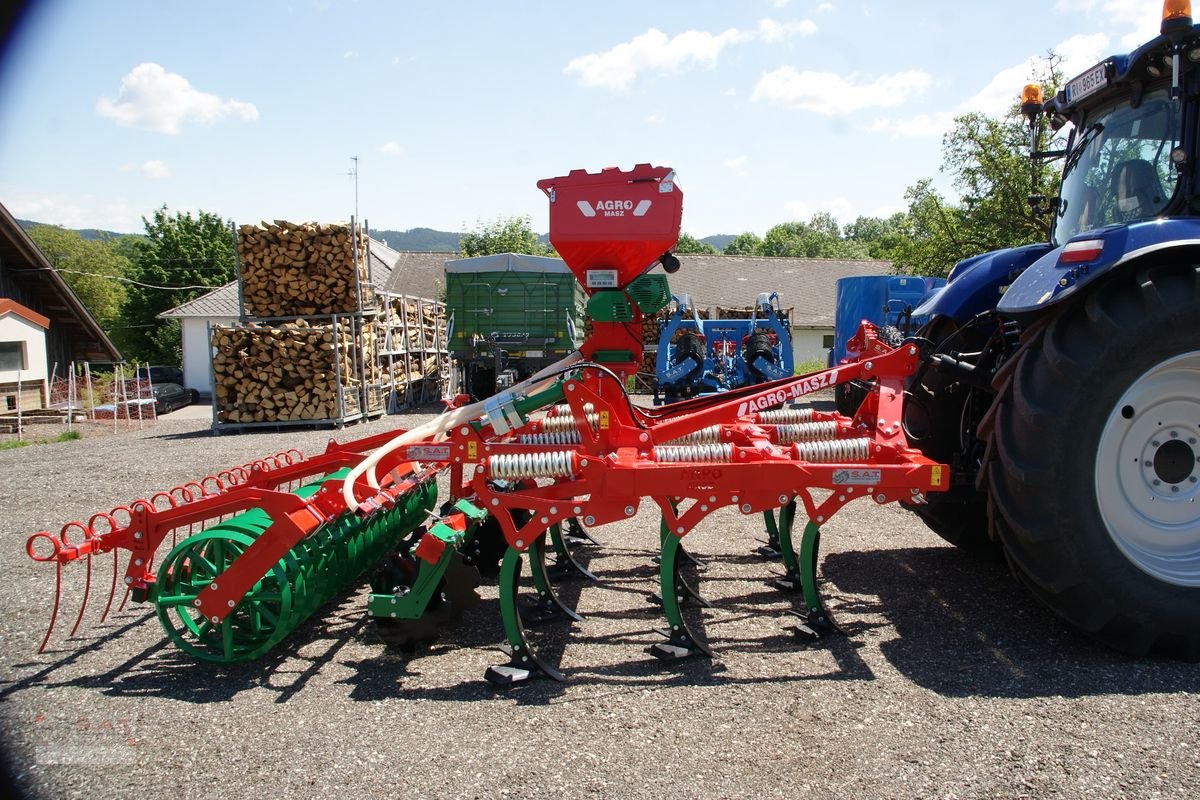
column 703, row 357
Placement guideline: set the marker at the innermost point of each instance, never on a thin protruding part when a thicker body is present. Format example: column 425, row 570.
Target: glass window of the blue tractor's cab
column 1119, row 170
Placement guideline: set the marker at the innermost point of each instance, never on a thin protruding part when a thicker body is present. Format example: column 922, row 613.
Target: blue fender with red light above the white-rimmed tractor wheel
column 1049, row 281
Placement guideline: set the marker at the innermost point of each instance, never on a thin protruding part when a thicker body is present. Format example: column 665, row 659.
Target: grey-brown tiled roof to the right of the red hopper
column 807, row 285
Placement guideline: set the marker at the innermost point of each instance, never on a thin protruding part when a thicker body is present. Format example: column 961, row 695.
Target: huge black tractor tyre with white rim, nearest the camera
column 1095, row 470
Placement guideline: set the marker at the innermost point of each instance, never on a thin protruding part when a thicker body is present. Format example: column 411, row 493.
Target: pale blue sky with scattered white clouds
column 770, row 111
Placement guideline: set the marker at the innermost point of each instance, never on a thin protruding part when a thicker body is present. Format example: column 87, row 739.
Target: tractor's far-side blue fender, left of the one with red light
column 977, row 284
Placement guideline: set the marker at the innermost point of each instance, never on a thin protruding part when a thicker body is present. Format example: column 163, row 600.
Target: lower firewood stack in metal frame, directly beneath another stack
column 293, row 371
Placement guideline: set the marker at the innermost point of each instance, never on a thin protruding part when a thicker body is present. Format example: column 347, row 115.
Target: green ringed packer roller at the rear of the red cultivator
column 311, row 574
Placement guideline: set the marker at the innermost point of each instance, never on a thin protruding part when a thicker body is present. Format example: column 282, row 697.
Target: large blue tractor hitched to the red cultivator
column 1061, row 381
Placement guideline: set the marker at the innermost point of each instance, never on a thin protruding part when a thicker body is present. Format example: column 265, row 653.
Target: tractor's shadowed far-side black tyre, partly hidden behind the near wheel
column 937, row 419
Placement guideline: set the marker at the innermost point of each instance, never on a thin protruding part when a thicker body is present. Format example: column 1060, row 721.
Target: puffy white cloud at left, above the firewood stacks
column 154, row 100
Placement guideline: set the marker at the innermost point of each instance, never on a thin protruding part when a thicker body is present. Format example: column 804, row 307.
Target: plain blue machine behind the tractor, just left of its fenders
column 879, row 299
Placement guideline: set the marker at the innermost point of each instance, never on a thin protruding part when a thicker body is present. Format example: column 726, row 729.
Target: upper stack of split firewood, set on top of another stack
column 303, row 269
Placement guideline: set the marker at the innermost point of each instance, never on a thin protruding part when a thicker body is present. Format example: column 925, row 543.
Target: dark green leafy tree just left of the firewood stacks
column 181, row 258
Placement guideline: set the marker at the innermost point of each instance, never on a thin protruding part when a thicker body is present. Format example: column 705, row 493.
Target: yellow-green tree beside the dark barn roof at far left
column 92, row 268
